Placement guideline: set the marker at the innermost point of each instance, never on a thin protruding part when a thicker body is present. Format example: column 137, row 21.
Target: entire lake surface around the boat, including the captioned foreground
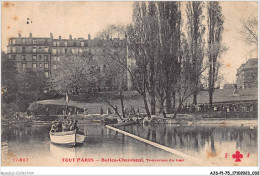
column 103, row 147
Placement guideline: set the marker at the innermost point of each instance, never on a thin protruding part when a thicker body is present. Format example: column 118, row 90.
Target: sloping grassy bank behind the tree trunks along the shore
column 93, row 103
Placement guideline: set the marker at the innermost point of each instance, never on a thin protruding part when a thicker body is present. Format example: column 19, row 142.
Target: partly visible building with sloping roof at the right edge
column 247, row 74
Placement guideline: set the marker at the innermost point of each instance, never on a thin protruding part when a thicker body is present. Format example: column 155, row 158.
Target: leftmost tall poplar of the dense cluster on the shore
column 144, row 43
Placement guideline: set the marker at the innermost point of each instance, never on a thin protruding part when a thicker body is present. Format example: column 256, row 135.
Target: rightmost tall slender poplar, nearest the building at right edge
column 215, row 47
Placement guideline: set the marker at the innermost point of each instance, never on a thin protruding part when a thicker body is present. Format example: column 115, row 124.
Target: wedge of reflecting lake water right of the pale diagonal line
column 200, row 140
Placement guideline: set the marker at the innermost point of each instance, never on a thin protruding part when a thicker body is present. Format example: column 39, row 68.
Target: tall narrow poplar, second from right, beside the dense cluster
column 195, row 30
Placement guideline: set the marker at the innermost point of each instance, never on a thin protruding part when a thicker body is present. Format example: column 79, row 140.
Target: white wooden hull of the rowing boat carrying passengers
column 69, row 138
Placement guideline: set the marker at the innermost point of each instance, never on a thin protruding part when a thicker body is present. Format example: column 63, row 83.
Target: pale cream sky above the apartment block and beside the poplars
column 82, row 18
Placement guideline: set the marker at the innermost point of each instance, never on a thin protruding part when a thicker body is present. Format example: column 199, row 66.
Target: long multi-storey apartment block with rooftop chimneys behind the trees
column 45, row 54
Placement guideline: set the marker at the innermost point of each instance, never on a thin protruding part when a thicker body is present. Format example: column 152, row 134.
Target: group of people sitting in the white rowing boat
column 70, row 125
